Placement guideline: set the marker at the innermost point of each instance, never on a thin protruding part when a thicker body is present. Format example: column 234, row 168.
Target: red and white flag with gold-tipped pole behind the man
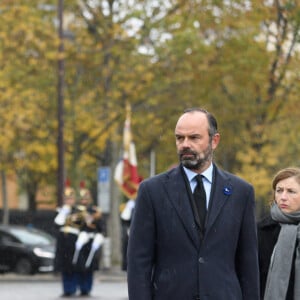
column 126, row 173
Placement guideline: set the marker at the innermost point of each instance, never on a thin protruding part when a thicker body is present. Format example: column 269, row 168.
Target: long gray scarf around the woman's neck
column 282, row 257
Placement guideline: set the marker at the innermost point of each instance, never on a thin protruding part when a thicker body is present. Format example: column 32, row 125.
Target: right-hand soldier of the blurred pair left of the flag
column 87, row 254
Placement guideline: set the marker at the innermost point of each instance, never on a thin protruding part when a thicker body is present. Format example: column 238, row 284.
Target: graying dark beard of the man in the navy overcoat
column 195, row 161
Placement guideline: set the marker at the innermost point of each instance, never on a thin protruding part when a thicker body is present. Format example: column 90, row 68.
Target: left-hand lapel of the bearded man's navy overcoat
column 179, row 197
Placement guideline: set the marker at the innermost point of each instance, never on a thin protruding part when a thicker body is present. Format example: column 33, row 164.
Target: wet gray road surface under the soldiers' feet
column 47, row 288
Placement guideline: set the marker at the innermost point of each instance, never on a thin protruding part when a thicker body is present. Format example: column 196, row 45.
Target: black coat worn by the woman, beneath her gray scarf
column 268, row 231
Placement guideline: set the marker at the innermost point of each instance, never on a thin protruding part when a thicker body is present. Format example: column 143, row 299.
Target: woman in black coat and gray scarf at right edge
column 278, row 239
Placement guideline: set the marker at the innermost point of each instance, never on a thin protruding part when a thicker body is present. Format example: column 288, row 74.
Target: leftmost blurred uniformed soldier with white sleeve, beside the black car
column 69, row 221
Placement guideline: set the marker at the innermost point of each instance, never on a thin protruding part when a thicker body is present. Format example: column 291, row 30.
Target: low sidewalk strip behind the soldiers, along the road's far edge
column 114, row 274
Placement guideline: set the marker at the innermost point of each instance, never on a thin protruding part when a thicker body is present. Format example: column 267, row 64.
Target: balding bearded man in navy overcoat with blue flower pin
column 170, row 254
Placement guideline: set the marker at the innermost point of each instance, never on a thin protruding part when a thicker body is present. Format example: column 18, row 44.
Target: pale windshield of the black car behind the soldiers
column 32, row 237
